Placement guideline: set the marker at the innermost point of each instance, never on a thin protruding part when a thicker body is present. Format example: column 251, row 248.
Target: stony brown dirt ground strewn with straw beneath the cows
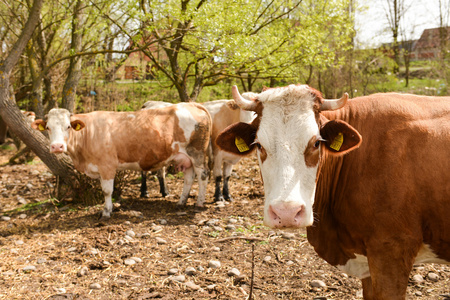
column 64, row 251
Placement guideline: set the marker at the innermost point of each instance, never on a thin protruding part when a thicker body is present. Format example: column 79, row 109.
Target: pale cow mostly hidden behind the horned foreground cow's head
column 223, row 114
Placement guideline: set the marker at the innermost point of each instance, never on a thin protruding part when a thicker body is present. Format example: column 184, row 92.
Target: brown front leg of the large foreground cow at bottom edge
column 390, row 265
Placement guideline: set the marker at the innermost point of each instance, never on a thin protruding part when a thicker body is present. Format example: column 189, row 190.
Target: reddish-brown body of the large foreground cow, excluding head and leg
column 391, row 195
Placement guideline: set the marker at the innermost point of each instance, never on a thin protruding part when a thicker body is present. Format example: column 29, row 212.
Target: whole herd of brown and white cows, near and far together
column 369, row 177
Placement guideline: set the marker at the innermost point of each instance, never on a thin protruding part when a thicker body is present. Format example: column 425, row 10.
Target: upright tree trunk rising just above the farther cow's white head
column 74, row 72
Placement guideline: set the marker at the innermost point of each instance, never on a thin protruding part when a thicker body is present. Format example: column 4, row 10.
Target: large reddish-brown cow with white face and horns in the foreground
column 368, row 177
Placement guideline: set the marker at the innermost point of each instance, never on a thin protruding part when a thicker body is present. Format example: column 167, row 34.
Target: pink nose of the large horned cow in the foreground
column 286, row 215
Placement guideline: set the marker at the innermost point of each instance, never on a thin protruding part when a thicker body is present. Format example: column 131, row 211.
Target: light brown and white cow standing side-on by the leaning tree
column 100, row 143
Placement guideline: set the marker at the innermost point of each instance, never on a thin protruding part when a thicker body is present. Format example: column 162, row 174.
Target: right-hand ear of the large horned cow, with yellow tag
column 339, row 137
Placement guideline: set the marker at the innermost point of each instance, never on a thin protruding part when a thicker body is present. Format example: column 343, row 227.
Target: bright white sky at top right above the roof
column 372, row 26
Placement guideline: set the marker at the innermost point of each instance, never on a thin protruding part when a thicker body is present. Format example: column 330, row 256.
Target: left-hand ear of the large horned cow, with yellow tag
column 237, row 139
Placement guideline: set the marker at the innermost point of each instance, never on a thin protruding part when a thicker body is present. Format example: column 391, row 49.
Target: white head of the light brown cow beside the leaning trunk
column 58, row 125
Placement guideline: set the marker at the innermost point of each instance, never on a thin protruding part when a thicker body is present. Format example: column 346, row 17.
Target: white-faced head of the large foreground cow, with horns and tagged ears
column 289, row 134
